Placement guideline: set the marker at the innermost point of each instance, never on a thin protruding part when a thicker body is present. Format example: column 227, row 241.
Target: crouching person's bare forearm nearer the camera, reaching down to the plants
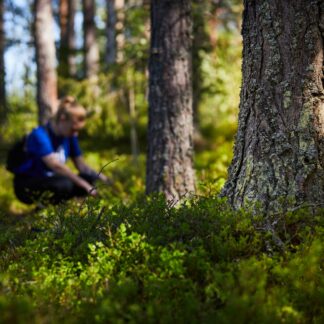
column 54, row 164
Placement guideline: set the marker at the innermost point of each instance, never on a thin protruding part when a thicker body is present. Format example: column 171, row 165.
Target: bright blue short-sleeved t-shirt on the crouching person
column 43, row 141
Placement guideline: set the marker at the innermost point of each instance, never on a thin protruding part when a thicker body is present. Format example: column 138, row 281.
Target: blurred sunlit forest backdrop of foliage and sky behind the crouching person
column 108, row 73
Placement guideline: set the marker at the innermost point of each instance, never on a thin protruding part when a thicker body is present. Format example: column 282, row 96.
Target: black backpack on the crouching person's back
column 17, row 155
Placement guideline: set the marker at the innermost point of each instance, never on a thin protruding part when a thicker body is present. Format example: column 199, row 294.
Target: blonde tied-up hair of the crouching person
column 68, row 107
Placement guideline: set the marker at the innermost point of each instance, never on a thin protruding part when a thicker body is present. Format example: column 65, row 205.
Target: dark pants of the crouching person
column 49, row 189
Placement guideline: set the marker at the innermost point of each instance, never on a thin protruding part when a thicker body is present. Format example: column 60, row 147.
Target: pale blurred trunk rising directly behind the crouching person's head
column 45, row 60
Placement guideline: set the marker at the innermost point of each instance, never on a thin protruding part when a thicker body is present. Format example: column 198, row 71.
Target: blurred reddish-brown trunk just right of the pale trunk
column 67, row 63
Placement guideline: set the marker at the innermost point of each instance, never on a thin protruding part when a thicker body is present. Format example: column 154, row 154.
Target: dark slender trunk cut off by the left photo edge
column 3, row 101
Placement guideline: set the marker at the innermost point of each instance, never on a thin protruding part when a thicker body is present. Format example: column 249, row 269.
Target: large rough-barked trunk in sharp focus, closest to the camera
column 279, row 150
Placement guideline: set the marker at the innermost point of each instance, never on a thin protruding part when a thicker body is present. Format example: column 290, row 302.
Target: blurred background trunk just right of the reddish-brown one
column 91, row 50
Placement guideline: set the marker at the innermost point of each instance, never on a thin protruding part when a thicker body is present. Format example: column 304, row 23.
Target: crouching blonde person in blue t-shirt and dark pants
column 48, row 147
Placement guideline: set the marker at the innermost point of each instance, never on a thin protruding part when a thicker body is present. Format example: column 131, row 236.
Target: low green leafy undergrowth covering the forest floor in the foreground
column 150, row 262
